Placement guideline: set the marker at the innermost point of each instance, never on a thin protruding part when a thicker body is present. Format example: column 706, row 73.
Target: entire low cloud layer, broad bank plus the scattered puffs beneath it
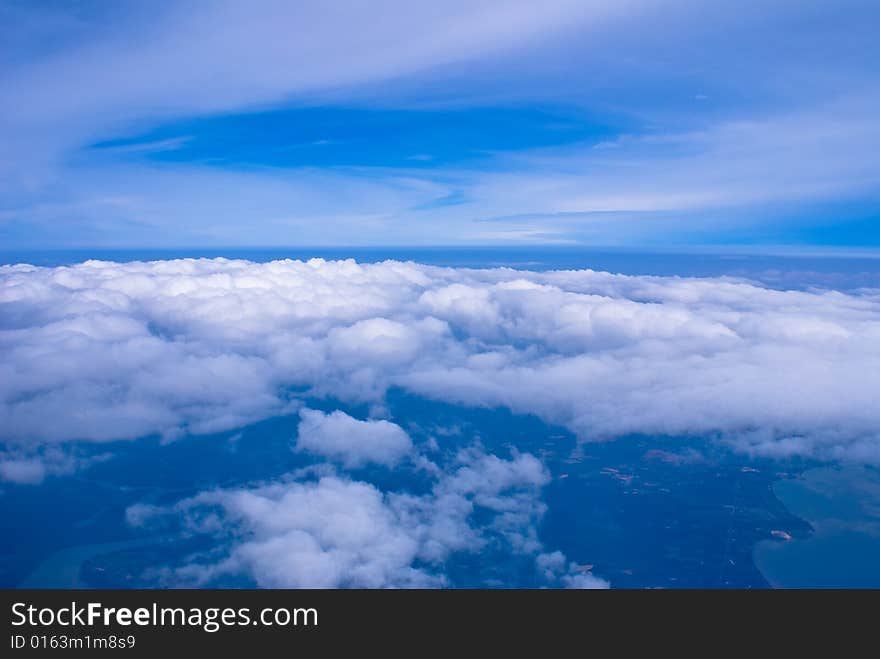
column 105, row 351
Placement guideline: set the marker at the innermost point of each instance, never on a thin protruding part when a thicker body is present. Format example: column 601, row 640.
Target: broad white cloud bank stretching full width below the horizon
column 102, row 351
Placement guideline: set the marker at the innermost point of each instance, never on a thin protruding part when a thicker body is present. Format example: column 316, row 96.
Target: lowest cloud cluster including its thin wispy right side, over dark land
column 336, row 532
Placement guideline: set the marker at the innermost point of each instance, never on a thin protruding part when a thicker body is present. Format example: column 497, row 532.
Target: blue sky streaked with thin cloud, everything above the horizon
column 631, row 123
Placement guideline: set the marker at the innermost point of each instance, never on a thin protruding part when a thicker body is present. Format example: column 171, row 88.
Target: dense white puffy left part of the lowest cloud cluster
column 323, row 534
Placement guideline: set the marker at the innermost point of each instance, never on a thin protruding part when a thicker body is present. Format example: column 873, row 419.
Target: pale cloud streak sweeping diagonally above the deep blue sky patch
column 188, row 59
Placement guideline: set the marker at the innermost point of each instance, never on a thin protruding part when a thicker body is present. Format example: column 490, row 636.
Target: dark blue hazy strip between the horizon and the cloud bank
column 834, row 269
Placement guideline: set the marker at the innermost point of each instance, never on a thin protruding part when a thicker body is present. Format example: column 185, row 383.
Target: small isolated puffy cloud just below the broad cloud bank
column 351, row 441
